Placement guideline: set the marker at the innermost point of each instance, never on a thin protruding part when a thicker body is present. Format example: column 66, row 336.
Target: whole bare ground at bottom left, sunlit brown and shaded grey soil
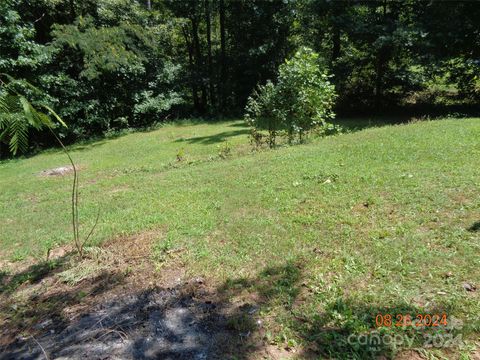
column 113, row 313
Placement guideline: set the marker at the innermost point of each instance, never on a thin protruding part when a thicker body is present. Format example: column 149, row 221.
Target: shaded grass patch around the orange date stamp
column 347, row 329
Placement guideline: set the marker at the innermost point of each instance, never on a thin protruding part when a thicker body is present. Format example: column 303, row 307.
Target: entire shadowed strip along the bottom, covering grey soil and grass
column 195, row 321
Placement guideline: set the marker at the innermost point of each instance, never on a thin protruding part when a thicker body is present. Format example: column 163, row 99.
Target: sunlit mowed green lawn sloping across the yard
column 330, row 233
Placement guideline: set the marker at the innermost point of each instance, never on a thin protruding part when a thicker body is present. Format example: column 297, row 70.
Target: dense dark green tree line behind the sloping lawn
column 112, row 64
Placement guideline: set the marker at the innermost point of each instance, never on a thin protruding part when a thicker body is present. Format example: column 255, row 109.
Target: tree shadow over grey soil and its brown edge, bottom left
column 188, row 321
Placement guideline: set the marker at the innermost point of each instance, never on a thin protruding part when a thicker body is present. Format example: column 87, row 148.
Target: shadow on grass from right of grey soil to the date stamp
column 342, row 329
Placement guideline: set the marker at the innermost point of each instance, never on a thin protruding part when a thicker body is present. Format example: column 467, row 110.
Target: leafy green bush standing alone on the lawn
column 300, row 101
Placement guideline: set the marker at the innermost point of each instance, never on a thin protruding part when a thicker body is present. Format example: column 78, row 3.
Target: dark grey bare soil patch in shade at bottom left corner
column 153, row 324
